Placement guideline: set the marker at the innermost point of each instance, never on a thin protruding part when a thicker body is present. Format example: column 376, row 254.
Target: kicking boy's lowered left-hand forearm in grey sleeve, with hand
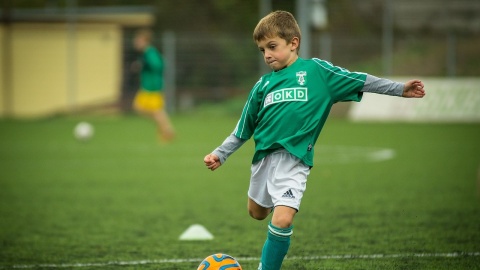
column 221, row 153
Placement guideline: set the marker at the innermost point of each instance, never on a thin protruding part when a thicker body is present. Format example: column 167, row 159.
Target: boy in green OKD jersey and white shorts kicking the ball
column 285, row 112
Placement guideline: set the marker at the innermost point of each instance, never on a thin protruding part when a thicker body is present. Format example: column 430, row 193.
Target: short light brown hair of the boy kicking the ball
column 280, row 24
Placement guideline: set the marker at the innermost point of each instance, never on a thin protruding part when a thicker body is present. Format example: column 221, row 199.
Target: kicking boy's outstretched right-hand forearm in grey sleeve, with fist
column 410, row 89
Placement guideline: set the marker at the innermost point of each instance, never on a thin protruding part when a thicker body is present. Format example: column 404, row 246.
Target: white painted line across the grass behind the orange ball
column 240, row 259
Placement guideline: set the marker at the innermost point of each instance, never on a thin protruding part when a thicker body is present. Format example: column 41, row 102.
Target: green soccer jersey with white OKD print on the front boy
column 288, row 108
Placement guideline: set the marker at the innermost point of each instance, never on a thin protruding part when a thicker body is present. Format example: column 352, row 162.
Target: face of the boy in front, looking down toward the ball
column 277, row 53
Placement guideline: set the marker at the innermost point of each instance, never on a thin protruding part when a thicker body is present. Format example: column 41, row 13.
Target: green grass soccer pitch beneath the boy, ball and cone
column 381, row 196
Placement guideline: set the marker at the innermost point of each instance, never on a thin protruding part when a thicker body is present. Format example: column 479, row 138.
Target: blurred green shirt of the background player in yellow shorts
column 151, row 76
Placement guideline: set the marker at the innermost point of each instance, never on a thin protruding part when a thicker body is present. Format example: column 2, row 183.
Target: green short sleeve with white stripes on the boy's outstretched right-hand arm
column 342, row 84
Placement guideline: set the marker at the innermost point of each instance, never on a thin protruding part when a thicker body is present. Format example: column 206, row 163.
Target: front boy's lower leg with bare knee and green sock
column 278, row 238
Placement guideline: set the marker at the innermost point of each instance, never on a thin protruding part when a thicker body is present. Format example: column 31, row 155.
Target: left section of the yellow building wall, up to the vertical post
column 39, row 68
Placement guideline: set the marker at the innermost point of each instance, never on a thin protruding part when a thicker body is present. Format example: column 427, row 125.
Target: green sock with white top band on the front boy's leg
column 275, row 247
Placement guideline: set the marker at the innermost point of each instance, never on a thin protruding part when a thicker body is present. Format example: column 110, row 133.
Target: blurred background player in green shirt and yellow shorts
column 149, row 99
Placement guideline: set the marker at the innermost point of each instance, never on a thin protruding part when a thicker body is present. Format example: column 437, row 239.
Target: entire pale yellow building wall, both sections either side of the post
column 53, row 73
